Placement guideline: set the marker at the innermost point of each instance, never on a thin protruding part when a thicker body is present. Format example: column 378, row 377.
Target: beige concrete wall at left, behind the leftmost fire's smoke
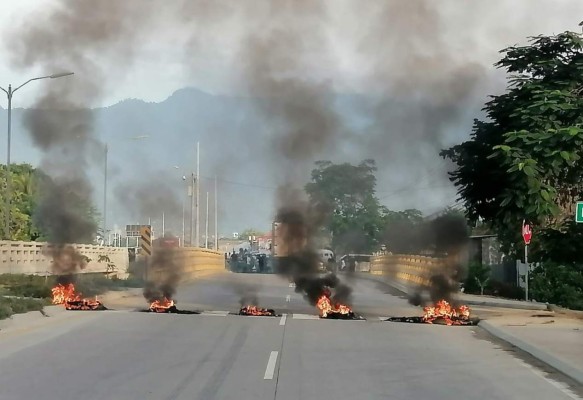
column 29, row 258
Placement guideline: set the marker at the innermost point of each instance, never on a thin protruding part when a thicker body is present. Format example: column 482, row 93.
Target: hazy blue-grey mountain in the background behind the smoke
column 235, row 145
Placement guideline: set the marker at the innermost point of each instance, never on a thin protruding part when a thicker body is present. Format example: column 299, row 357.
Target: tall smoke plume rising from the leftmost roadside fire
column 67, row 39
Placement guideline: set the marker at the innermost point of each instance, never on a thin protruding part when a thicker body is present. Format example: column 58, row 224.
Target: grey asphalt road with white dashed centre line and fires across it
column 126, row 354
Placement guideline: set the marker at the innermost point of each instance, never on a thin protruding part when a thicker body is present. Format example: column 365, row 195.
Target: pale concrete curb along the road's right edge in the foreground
column 563, row 366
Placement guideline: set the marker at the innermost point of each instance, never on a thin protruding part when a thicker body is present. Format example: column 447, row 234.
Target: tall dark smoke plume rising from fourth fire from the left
column 302, row 123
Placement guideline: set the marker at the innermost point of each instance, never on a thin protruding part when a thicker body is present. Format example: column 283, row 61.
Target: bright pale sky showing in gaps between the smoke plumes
column 159, row 68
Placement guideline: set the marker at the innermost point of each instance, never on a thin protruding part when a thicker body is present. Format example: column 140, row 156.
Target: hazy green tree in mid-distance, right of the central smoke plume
column 346, row 194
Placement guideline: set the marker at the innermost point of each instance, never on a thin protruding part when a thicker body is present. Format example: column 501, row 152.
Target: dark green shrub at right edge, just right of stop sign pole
column 558, row 283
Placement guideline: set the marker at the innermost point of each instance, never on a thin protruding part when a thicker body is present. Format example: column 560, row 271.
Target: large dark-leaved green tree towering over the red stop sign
column 524, row 160
